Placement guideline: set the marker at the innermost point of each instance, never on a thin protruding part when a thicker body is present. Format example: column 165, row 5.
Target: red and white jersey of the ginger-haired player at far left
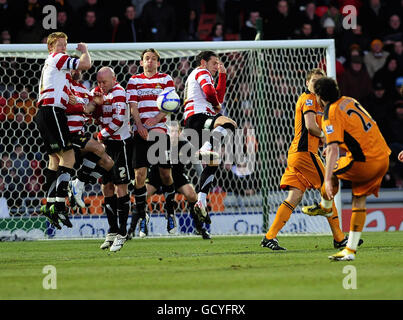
column 54, row 85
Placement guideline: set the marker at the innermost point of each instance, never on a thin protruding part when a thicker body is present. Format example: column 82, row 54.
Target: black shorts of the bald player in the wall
column 119, row 151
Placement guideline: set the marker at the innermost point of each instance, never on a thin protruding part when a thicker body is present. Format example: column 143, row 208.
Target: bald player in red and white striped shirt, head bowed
column 114, row 118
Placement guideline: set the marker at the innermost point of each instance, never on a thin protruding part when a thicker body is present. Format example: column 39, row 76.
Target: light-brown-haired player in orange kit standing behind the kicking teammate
column 305, row 169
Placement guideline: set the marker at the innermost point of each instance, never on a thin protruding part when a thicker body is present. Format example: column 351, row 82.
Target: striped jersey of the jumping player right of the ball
column 195, row 98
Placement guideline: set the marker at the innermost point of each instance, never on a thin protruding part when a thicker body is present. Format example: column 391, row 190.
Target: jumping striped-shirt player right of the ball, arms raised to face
column 202, row 112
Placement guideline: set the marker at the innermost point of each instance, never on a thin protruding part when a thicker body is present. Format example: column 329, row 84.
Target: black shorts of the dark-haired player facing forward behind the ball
column 142, row 158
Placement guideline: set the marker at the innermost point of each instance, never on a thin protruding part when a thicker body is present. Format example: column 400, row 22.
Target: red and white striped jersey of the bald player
column 114, row 114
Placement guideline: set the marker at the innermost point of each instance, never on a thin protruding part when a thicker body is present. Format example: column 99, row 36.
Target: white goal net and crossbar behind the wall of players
column 264, row 81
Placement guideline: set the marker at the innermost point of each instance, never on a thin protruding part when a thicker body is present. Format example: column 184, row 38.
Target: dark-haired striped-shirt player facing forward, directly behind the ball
column 142, row 93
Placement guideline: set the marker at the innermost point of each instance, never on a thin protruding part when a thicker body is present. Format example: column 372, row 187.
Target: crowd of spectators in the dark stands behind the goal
column 369, row 56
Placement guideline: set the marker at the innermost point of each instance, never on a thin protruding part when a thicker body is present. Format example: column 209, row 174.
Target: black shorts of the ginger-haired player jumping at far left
column 52, row 125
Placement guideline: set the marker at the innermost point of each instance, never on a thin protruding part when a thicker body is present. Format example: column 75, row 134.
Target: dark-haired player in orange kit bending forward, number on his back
column 348, row 126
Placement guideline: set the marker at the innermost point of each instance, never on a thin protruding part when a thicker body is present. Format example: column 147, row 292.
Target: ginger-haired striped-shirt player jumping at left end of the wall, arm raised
column 54, row 90
